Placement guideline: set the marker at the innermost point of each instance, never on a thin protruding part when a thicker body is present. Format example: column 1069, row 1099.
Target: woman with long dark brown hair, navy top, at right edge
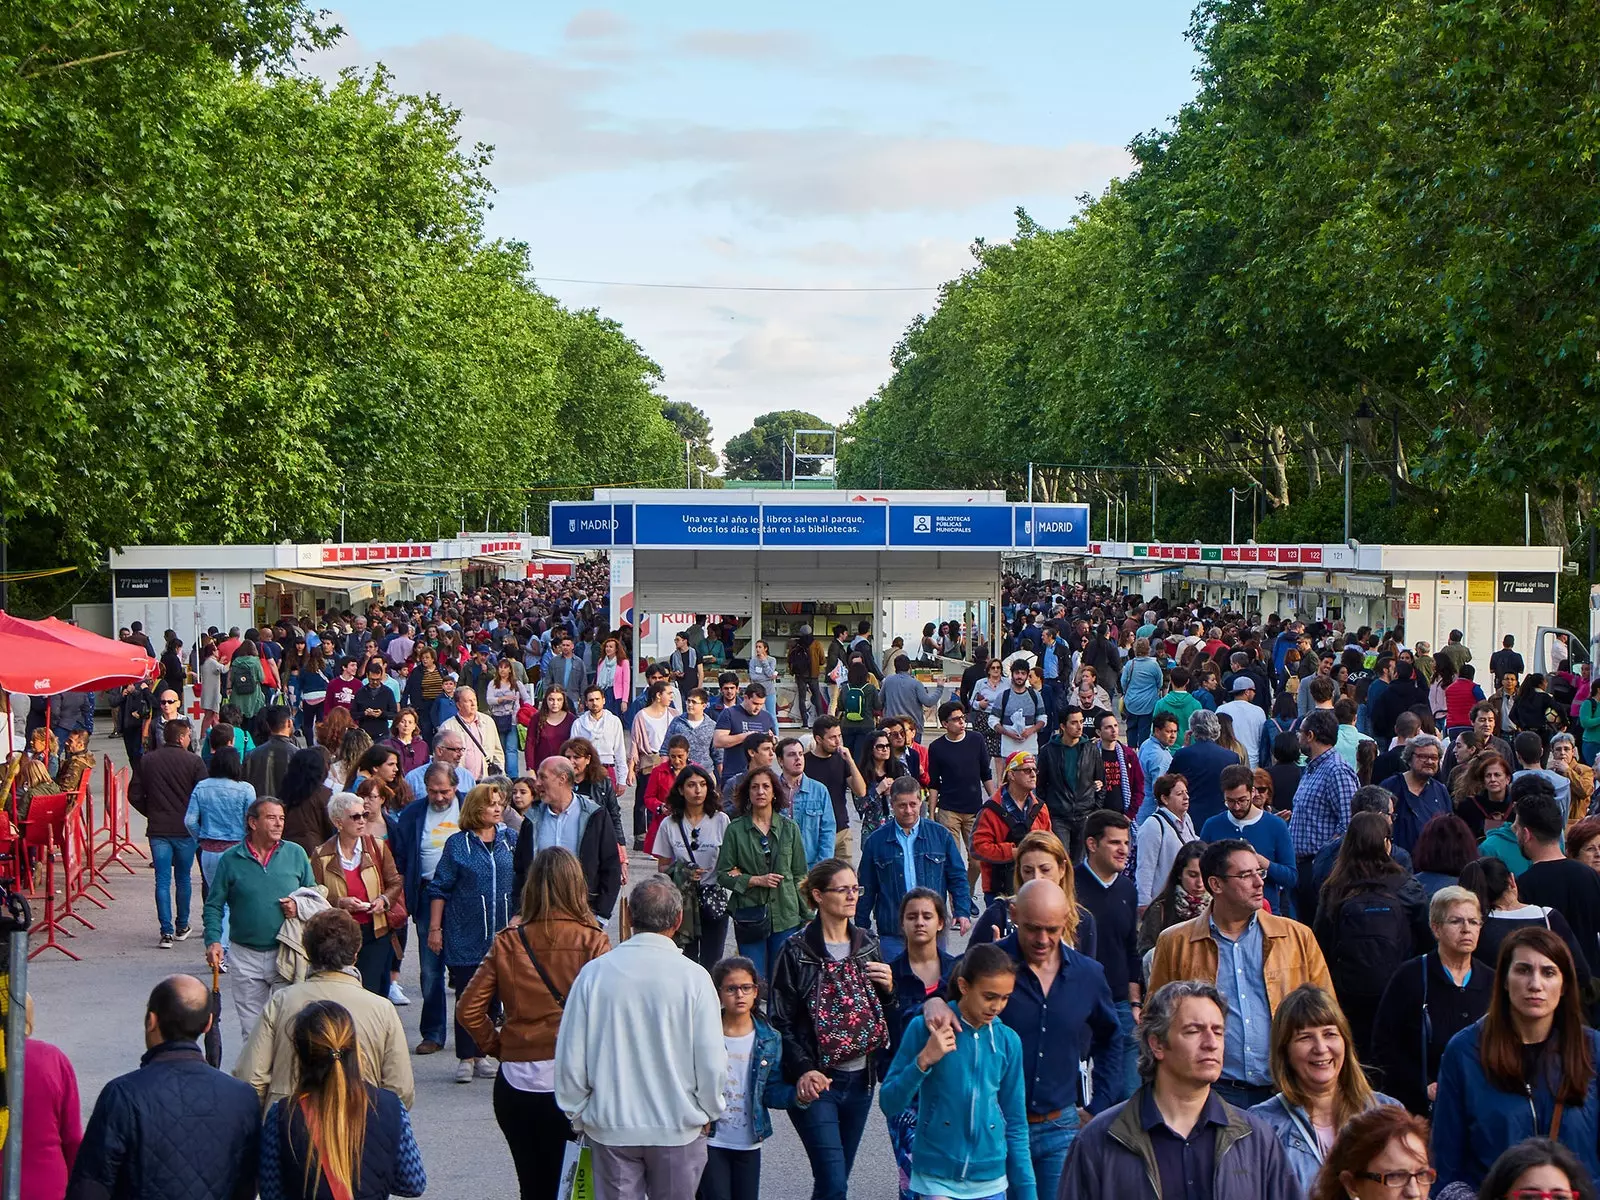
column 1526, row 1071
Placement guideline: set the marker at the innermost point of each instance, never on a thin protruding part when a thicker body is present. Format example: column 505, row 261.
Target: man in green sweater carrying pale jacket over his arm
column 254, row 881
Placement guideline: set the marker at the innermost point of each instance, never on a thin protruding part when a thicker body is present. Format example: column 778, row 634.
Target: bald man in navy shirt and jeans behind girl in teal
column 1062, row 1012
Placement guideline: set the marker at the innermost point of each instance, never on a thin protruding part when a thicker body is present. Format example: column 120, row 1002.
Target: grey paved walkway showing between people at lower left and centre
column 95, row 1012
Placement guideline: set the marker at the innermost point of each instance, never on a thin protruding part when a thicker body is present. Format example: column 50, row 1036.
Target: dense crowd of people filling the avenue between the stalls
column 1156, row 902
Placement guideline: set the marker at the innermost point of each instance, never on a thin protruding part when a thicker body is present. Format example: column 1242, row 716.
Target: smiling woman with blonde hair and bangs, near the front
column 1321, row 1082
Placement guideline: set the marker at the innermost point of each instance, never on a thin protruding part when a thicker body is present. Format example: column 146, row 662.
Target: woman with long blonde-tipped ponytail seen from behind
column 337, row 1135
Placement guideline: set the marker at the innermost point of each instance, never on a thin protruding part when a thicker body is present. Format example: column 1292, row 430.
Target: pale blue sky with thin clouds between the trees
column 846, row 156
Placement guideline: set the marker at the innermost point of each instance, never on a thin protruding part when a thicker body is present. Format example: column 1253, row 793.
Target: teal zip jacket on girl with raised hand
column 972, row 1111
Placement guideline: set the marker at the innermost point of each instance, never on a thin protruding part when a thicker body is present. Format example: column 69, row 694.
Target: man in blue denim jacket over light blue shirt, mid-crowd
column 902, row 855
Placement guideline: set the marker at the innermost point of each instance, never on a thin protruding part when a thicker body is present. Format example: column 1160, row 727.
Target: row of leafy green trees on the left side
column 238, row 300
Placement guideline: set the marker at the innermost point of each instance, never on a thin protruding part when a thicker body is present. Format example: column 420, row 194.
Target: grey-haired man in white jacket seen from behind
column 641, row 1058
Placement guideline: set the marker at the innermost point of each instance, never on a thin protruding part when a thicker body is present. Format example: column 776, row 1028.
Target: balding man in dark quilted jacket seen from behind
column 175, row 1127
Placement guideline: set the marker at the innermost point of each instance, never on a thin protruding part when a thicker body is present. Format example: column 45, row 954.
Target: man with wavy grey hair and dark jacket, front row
column 1175, row 1121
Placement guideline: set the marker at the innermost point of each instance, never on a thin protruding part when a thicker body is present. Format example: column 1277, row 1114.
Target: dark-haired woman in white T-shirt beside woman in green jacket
column 687, row 846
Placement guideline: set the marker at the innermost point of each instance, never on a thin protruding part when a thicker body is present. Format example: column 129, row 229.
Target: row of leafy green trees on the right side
column 1367, row 209
